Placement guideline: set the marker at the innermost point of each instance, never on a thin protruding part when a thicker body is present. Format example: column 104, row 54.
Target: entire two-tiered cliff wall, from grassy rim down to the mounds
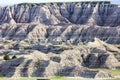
column 63, row 21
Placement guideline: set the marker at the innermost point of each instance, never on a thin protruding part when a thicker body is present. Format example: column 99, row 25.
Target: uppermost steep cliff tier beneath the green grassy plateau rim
column 76, row 13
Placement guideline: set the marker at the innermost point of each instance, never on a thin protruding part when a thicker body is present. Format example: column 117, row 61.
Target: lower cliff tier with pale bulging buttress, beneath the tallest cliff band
column 73, row 33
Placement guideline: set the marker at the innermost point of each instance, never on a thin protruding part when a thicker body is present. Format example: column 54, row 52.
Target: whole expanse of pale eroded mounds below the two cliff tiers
column 56, row 60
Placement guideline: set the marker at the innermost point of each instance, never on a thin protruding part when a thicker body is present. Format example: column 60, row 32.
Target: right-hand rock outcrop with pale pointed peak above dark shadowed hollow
column 102, row 55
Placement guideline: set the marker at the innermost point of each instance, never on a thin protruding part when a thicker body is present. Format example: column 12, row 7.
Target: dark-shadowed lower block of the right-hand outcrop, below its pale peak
column 101, row 60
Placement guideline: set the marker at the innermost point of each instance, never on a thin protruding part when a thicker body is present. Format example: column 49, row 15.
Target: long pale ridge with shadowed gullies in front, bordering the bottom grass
column 38, row 64
